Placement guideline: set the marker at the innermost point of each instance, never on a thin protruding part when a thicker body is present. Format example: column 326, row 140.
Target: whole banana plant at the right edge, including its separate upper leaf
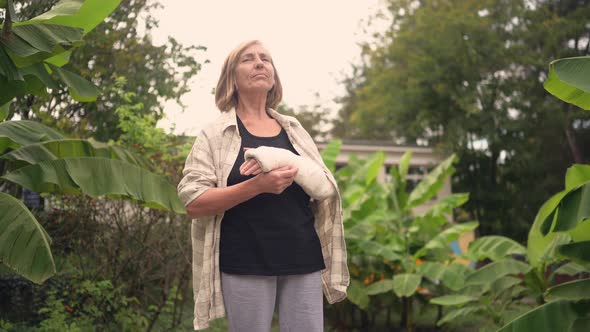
column 558, row 243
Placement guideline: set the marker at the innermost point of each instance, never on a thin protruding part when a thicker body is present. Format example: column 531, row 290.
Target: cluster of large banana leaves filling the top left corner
column 32, row 50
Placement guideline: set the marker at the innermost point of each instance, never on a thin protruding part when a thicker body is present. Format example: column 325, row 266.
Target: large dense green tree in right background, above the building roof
column 463, row 76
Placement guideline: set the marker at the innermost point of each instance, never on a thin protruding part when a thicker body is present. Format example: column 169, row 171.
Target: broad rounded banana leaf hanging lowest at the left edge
column 24, row 244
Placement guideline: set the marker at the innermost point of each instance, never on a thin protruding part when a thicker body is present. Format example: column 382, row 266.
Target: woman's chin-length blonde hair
column 226, row 94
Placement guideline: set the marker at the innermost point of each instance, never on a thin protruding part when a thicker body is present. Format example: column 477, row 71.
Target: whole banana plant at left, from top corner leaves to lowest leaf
column 41, row 159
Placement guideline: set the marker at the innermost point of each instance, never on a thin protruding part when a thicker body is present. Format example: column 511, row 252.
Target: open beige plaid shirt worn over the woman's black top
column 208, row 165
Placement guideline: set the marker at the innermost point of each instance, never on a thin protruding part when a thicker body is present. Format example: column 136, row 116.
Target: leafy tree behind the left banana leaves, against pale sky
column 121, row 46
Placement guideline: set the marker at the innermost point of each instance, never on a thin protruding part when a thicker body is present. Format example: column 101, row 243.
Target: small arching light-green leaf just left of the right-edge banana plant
column 494, row 247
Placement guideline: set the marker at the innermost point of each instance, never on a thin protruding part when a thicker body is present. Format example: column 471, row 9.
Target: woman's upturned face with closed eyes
column 254, row 72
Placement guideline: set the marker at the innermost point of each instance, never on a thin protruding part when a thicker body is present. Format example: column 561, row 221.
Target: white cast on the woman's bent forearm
column 310, row 176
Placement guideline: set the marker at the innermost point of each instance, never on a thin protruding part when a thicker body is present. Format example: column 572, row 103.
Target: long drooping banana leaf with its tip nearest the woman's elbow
column 99, row 176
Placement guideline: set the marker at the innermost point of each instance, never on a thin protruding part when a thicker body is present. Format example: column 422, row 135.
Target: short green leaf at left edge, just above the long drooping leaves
column 14, row 134
